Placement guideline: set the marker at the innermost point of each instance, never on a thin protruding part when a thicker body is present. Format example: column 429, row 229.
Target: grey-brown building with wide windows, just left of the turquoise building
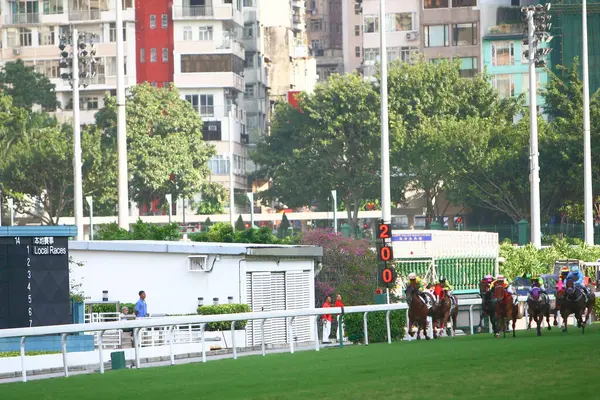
column 451, row 29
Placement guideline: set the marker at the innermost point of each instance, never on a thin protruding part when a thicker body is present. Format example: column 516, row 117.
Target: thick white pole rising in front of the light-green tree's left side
column 123, row 180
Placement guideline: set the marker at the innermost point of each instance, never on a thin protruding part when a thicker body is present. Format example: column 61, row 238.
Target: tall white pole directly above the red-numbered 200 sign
column 386, row 202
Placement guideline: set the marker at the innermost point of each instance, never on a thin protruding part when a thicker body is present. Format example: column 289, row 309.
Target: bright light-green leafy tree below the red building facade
column 166, row 153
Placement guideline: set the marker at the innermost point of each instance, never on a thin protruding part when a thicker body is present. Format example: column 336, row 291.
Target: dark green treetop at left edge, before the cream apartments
column 26, row 86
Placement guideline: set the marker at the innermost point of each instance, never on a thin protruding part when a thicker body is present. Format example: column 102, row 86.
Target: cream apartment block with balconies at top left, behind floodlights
column 30, row 31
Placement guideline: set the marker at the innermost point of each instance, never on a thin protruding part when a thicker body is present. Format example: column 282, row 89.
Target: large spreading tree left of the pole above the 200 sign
column 332, row 142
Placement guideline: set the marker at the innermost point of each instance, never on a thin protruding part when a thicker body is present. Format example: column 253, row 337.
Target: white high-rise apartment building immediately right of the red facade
column 208, row 69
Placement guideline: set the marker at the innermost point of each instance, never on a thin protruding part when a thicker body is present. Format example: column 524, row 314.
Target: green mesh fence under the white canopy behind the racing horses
column 464, row 273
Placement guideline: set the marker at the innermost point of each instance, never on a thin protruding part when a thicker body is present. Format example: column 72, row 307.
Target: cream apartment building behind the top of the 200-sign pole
column 402, row 32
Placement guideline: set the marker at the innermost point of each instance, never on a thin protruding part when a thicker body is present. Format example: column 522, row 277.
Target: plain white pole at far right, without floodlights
column 587, row 143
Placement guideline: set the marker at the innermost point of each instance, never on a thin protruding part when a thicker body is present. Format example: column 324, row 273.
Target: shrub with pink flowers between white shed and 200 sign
column 349, row 267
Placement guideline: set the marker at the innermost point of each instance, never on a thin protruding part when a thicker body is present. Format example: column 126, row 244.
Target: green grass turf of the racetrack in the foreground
column 480, row 367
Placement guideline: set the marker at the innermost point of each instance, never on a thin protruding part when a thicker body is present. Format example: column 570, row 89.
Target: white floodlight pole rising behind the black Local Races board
column 77, row 179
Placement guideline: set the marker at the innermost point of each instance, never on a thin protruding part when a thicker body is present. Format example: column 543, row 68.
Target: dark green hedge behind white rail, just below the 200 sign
column 376, row 325
